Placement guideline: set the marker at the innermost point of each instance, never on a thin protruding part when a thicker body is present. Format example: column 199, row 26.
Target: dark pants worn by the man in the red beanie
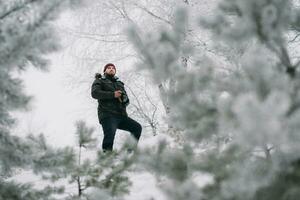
column 112, row 123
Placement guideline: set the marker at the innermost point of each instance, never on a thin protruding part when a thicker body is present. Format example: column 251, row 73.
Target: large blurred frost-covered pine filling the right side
column 255, row 105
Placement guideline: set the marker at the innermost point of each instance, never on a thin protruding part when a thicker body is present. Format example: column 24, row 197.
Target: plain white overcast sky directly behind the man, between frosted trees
column 59, row 99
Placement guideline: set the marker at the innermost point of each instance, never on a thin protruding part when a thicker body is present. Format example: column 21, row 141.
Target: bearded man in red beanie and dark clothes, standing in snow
column 112, row 101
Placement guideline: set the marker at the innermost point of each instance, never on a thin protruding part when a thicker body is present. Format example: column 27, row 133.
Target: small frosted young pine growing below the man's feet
column 103, row 172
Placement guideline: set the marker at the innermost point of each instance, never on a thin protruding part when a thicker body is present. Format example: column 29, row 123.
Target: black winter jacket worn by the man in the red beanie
column 103, row 89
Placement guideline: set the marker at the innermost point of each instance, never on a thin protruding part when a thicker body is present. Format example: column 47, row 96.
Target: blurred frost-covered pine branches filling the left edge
column 26, row 36
